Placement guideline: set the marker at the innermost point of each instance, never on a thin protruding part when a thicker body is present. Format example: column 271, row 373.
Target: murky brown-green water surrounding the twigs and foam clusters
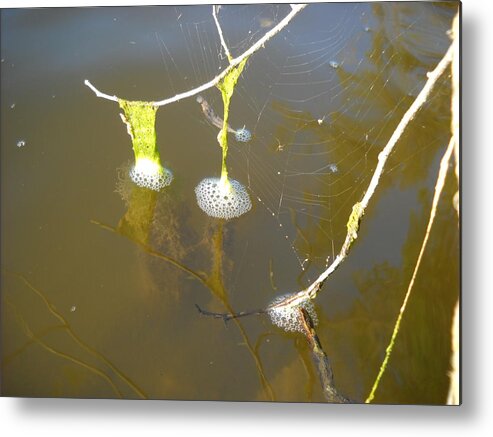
column 100, row 280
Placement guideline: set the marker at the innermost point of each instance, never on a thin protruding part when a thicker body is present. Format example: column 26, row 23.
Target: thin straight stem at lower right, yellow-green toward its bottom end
column 442, row 174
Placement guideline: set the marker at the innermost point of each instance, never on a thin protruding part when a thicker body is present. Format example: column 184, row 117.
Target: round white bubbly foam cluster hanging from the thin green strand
column 222, row 200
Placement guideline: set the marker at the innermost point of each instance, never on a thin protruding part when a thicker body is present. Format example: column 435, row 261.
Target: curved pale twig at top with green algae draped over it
column 295, row 9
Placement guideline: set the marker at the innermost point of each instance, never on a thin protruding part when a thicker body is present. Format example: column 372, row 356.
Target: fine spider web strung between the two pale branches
column 321, row 100
